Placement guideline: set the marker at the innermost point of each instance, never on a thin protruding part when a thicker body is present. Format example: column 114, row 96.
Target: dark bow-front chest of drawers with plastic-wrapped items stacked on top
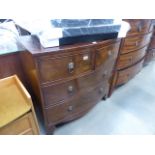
column 68, row 80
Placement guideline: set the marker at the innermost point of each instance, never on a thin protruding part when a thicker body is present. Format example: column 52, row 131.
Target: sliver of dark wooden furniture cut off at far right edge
column 151, row 49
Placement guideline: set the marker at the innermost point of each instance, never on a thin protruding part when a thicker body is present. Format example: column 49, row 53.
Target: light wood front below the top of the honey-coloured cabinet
column 21, row 126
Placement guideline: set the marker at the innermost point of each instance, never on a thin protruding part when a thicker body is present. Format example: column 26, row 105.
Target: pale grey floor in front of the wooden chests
column 130, row 110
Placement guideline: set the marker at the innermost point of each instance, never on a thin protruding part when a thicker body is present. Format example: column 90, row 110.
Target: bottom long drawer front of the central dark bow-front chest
column 60, row 113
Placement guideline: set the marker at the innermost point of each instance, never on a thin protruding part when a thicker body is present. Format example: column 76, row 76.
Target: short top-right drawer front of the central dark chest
column 106, row 54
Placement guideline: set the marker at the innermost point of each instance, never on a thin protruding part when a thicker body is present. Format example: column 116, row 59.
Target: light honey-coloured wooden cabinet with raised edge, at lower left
column 17, row 116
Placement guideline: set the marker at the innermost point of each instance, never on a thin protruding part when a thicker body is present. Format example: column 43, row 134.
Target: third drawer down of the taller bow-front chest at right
column 126, row 60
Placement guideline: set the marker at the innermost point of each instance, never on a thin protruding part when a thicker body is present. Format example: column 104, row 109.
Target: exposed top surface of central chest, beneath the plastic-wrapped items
column 35, row 48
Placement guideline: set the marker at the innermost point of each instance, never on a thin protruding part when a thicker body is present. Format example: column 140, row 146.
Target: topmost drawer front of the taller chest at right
column 139, row 26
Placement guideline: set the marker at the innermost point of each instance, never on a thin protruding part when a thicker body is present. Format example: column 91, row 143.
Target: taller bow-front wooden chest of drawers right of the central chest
column 132, row 51
